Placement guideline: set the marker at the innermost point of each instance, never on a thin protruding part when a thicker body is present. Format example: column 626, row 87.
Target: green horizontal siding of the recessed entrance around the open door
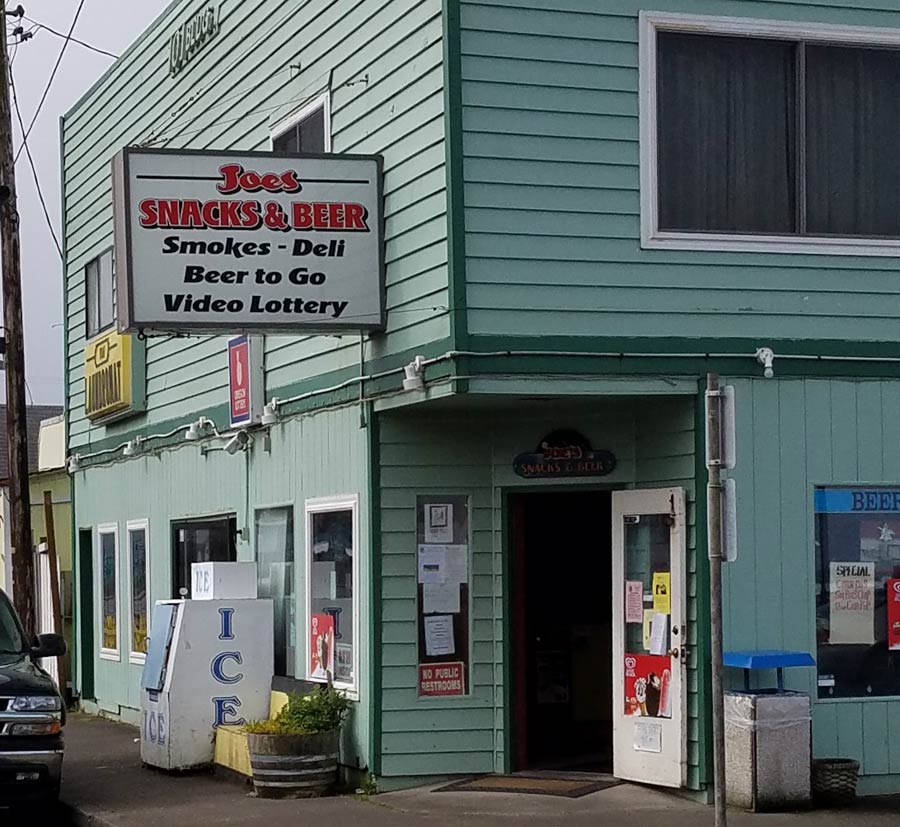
column 440, row 454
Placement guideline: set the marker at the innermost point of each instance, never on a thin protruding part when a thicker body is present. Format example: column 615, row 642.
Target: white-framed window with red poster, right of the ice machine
column 332, row 578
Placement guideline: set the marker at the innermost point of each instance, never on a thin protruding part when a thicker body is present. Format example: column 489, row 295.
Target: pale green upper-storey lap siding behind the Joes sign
column 381, row 59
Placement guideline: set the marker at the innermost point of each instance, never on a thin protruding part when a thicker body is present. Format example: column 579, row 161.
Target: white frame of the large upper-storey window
column 651, row 236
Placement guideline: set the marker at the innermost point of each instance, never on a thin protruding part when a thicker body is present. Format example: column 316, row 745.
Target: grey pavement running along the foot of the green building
column 104, row 785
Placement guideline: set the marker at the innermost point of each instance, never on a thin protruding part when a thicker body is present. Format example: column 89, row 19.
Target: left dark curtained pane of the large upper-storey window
column 726, row 134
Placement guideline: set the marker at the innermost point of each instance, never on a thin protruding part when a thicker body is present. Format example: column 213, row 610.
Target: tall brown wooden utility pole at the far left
column 16, row 434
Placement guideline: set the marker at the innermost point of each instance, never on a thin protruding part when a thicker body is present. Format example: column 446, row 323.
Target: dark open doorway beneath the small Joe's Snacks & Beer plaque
column 562, row 630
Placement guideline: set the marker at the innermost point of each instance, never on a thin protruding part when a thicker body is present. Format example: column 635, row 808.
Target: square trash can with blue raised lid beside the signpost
column 768, row 736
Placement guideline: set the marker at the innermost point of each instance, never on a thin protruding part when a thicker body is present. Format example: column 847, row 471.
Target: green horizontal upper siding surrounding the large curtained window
column 551, row 136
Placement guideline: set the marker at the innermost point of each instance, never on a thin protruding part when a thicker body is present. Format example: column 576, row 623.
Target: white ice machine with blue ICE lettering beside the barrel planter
column 209, row 662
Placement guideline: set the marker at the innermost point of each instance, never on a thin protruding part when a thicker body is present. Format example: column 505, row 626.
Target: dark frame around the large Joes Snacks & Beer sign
column 127, row 321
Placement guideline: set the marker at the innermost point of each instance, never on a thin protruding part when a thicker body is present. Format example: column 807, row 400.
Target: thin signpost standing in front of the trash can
column 714, row 522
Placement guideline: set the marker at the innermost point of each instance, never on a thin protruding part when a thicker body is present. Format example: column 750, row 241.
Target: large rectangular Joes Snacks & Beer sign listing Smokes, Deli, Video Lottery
column 248, row 242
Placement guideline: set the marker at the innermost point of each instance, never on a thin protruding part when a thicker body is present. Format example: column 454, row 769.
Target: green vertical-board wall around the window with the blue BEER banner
column 791, row 436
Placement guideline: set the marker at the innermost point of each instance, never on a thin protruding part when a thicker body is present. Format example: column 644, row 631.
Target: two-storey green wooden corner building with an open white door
column 589, row 206
